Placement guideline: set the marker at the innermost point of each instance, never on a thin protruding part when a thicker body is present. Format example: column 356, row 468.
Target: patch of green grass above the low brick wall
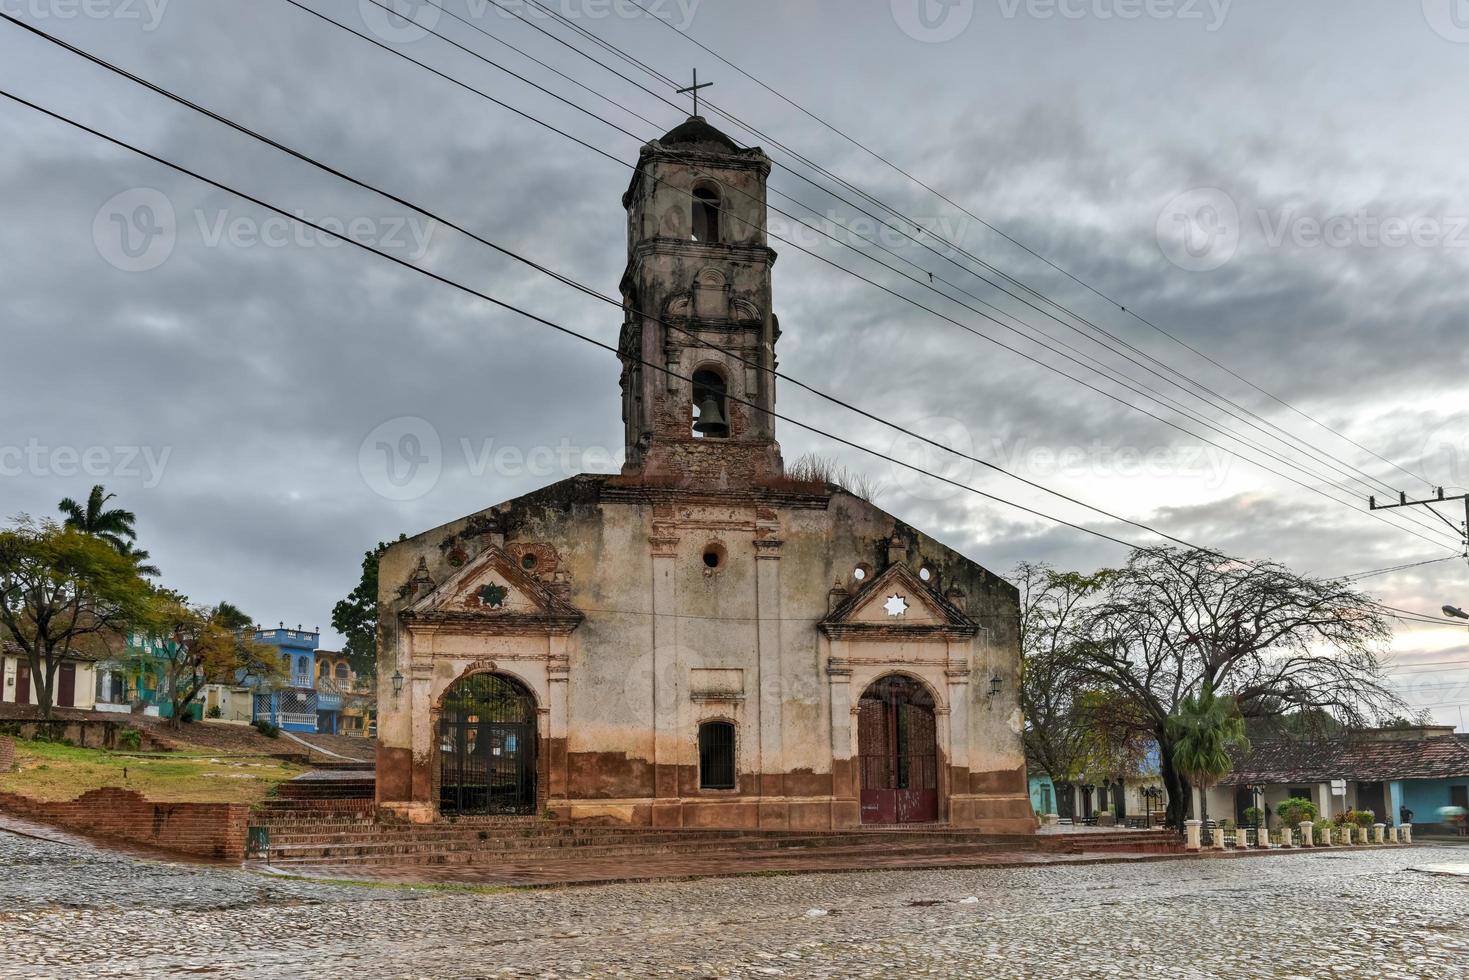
column 49, row 771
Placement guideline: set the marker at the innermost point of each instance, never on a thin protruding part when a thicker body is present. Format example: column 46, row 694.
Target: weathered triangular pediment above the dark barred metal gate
column 493, row 590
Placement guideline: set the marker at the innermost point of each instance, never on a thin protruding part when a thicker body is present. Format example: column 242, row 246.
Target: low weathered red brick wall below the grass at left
column 208, row 831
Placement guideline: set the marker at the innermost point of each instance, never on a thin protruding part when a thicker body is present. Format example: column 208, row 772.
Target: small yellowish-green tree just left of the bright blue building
column 208, row 646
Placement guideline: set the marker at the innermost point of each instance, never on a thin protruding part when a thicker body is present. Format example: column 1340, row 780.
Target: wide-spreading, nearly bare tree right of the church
column 1173, row 624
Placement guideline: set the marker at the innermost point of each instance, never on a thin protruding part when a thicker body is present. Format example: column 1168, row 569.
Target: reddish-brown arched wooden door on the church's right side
column 898, row 752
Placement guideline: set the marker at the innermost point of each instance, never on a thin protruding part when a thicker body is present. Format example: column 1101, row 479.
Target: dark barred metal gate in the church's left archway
column 488, row 747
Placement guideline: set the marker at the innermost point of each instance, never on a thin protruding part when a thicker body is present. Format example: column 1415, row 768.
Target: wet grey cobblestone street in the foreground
column 71, row 910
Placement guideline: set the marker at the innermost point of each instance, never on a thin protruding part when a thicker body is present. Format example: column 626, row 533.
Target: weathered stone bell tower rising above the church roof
column 699, row 280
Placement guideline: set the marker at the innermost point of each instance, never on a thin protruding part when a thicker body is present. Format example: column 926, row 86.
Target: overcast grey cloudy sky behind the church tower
column 1277, row 186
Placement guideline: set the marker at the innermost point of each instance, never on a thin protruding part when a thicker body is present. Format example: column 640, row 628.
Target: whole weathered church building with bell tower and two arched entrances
column 699, row 641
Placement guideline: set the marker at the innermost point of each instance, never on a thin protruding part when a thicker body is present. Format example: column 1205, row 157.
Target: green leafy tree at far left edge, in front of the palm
column 65, row 594
